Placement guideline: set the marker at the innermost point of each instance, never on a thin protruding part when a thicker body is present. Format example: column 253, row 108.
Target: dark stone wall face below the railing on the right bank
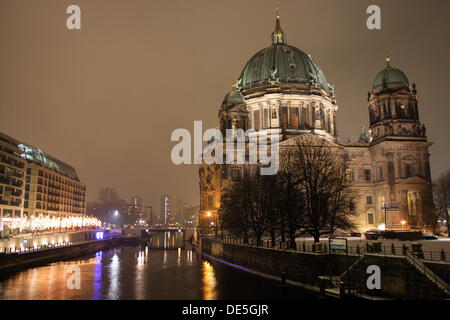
column 399, row 279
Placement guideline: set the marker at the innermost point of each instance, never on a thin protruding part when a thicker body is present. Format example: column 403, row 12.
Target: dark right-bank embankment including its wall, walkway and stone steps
column 404, row 275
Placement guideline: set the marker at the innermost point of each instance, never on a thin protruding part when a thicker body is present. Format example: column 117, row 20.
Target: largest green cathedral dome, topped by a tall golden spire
column 281, row 63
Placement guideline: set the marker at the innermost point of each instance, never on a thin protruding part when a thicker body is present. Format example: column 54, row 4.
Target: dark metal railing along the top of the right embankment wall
column 371, row 248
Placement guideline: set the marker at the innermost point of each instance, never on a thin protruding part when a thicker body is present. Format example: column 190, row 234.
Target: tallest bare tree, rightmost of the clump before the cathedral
column 320, row 168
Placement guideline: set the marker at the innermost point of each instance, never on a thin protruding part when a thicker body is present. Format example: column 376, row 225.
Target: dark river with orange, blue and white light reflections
column 155, row 271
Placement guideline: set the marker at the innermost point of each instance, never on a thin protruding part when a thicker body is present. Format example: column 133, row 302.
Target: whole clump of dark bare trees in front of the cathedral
column 309, row 194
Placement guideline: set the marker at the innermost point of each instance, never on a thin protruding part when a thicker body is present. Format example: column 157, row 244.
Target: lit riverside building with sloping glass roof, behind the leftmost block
column 52, row 188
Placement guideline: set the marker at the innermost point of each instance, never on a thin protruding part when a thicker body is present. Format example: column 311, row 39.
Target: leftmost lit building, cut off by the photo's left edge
column 12, row 183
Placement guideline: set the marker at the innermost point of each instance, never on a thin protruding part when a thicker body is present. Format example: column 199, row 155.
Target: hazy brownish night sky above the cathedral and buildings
column 106, row 98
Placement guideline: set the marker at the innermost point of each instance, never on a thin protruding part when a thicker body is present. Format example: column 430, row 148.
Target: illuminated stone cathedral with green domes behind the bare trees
column 282, row 90
